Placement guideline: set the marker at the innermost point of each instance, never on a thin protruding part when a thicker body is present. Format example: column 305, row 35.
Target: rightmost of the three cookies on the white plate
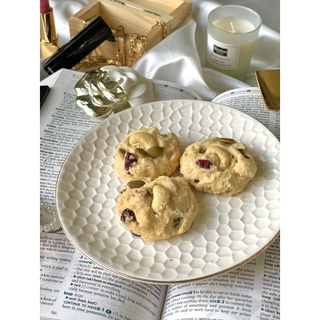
column 218, row 165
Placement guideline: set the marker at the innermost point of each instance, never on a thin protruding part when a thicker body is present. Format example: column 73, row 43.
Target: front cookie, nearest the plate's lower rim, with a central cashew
column 158, row 209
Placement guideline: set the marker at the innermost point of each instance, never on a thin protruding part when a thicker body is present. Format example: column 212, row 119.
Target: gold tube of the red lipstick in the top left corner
column 48, row 35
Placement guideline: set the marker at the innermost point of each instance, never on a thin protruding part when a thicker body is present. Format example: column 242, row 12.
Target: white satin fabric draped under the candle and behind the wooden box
column 180, row 57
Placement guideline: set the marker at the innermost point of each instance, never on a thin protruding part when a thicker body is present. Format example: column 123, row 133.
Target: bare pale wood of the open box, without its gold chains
column 153, row 19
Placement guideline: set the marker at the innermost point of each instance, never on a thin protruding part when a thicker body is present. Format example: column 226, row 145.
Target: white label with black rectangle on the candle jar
column 221, row 55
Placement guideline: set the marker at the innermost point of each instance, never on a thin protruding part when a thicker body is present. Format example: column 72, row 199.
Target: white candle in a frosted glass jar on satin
column 232, row 33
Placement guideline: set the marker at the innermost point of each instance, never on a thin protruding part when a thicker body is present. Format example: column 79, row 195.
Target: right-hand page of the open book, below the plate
column 249, row 292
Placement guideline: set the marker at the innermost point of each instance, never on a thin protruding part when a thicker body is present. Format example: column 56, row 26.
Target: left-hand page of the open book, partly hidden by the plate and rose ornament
column 72, row 286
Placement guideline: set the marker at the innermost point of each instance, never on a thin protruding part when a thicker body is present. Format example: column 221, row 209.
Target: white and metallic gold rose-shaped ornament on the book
column 112, row 89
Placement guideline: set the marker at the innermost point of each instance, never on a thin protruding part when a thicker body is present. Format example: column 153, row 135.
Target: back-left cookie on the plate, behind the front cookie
column 147, row 153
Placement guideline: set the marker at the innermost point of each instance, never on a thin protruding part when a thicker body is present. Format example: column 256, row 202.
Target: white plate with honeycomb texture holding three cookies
column 228, row 231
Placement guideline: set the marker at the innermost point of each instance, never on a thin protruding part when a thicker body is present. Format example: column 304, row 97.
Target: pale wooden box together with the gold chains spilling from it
column 138, row 25
